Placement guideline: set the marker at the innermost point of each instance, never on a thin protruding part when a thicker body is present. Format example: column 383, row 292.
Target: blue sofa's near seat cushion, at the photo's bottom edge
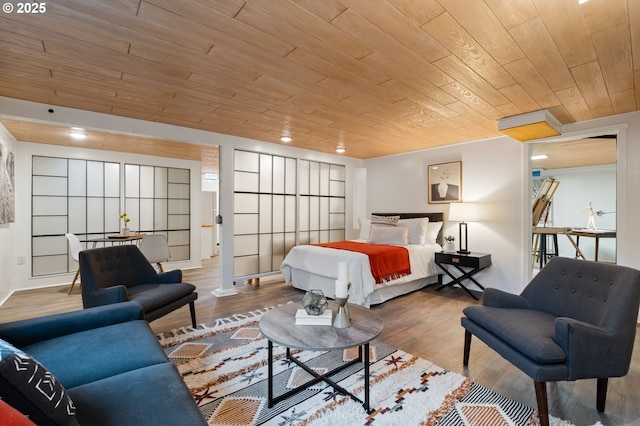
column 154, row 395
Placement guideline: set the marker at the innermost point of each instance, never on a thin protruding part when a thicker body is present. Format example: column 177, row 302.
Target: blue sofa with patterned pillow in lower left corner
column 107, row 365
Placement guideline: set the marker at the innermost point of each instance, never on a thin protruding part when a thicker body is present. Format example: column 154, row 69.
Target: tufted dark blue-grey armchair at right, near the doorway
column 575, row 320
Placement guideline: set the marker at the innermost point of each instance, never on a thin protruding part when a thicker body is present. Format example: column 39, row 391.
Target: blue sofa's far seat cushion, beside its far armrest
column 91, row 355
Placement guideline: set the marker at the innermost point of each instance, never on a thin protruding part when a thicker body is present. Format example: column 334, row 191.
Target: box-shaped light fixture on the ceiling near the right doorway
column 532, row 125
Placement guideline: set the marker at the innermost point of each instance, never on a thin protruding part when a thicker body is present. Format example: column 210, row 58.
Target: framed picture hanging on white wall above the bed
column 445, row 182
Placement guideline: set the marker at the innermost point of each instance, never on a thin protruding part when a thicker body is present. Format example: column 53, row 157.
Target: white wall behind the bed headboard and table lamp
column 492, row 174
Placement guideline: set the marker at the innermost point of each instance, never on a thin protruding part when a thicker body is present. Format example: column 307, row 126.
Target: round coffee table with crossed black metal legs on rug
column 279, row 326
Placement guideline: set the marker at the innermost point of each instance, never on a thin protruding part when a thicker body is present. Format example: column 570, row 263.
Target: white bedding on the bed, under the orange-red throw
column 308, row 267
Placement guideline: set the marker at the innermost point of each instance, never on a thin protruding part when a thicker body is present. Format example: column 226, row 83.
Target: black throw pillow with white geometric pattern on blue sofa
column 29, row 388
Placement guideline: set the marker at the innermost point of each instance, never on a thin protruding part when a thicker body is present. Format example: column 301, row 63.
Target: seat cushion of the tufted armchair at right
column 529, row 332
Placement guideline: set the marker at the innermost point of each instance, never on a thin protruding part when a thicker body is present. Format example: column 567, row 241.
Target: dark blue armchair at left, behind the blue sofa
column 121, row 273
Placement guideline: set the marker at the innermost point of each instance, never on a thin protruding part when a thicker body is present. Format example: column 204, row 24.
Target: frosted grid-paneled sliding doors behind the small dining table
column 83, row 197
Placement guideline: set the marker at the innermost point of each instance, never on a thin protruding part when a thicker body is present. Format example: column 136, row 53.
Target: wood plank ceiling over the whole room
column 378, row 76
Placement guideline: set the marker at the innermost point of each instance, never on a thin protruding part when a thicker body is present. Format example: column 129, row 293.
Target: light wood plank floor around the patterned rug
column 425, row 323
